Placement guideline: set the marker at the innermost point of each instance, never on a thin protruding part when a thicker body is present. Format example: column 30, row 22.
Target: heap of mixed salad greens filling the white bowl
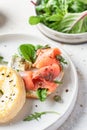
column 67, row 16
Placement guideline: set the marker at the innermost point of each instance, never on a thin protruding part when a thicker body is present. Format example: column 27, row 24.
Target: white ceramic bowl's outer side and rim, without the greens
column 63, row 37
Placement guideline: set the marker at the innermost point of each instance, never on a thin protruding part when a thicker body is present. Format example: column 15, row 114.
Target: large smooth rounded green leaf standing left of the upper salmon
column 27, row 51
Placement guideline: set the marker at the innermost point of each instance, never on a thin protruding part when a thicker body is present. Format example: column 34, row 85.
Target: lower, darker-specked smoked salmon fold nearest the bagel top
column 42, row 78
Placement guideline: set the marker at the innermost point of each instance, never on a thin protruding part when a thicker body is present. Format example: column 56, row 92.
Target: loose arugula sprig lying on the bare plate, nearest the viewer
column 38, row 115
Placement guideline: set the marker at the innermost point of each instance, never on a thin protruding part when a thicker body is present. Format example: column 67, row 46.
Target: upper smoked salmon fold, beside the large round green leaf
column 46, row 57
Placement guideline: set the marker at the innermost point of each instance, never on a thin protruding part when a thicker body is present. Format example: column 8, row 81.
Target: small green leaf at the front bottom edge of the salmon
column 42, row 94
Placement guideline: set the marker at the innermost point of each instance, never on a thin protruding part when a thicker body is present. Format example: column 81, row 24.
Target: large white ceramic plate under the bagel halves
column 8, row 46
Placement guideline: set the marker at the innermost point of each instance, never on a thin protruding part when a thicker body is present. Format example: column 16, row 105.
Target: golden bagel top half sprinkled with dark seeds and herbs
column 12, row 94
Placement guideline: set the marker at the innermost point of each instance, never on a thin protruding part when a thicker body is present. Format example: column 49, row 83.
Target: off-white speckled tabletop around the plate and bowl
column 14, row 16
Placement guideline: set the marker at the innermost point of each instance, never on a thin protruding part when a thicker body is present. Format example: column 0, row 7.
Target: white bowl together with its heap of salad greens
column 62, row 20
